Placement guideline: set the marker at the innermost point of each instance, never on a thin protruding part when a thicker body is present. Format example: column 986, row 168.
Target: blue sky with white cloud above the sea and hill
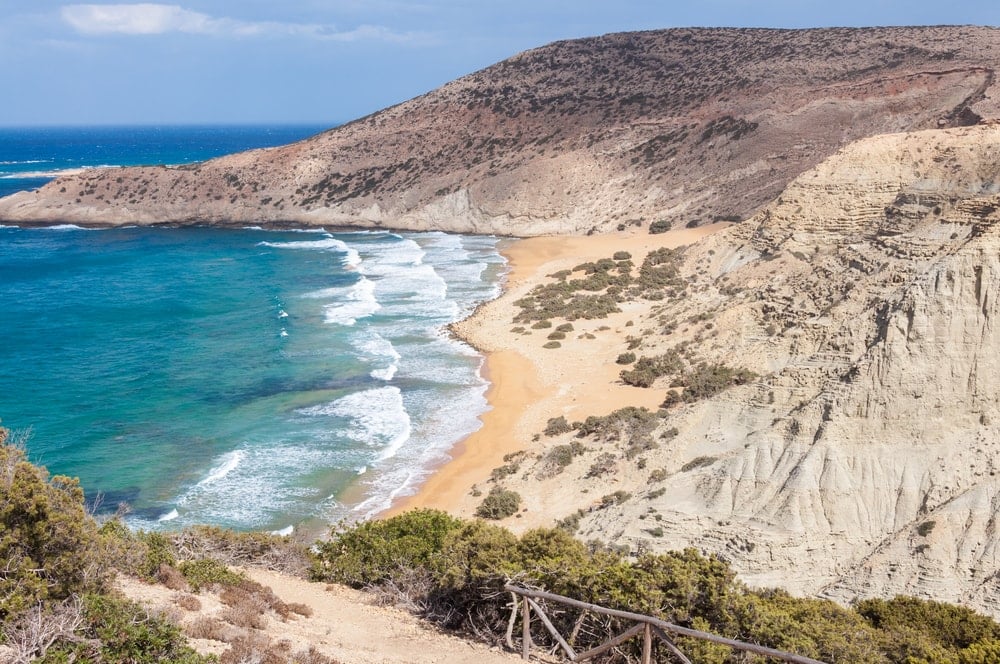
column 329, row 61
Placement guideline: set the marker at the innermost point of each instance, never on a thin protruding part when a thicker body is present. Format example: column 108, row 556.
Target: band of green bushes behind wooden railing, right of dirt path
column 464, row 566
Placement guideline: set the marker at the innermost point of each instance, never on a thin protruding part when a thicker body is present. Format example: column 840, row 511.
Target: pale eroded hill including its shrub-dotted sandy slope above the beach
column 822, row 402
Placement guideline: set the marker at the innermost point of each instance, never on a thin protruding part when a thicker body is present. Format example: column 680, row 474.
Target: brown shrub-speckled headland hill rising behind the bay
column 686, row 125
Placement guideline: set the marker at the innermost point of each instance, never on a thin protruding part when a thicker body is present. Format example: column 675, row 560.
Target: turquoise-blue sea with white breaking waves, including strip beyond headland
column 253, row 379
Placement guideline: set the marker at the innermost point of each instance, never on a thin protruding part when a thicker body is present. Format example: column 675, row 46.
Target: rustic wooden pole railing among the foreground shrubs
column 646, row 626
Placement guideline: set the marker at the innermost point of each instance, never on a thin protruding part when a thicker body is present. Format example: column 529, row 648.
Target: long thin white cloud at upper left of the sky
column 156, row 19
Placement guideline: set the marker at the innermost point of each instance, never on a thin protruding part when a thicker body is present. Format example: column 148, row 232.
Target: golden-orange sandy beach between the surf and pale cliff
column 529, row 383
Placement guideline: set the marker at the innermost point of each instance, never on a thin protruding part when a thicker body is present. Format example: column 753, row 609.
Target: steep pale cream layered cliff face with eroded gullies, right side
column 865, row 459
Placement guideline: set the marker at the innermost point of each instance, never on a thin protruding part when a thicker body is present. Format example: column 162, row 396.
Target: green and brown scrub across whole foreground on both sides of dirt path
column 58, row 606
